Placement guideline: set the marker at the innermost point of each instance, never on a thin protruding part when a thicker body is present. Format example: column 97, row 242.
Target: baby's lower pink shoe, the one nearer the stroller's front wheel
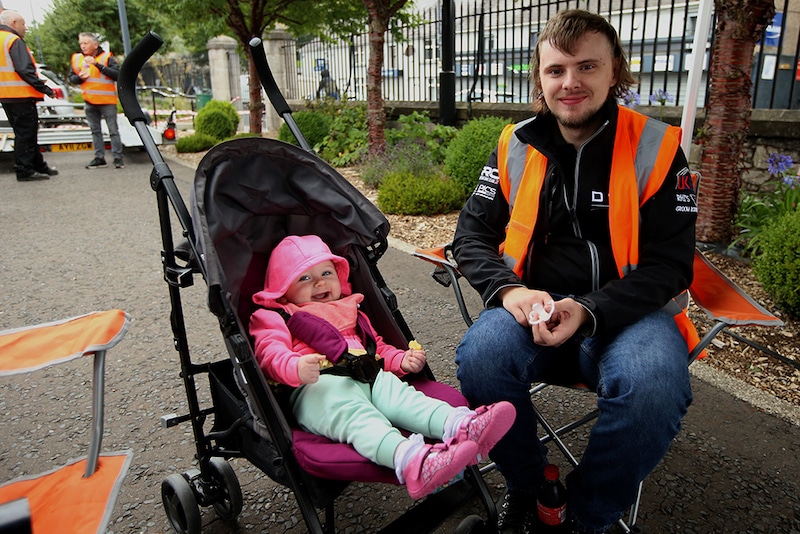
column 435, row 465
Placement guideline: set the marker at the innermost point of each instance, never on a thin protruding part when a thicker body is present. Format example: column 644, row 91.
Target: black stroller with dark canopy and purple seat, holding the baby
column 248, row 195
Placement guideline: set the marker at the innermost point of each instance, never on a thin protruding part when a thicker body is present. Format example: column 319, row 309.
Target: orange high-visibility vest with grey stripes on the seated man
column 644, row 150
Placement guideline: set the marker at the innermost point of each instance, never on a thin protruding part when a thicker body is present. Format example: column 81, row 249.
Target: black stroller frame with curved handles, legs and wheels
column 214, row 483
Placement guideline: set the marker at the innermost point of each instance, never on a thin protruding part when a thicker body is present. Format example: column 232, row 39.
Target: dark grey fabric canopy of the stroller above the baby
column 251, row 193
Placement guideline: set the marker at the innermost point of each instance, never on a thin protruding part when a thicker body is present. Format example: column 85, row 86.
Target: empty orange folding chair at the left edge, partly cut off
column 79, row 496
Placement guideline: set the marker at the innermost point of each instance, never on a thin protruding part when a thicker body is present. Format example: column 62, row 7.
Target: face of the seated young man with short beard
column 575, row 86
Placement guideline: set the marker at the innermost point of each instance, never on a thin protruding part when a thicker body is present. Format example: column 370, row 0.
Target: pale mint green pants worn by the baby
column 346, row 410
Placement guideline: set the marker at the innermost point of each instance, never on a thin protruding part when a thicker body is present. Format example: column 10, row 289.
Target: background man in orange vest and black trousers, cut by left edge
column 20, row 89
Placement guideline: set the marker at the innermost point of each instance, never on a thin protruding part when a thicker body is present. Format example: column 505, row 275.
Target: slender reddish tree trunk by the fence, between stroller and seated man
column 376, row 118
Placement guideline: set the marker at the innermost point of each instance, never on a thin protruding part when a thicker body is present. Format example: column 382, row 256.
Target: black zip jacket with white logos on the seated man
column 572, row 214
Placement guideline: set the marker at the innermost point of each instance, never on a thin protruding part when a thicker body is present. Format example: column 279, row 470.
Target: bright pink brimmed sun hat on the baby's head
column 292, row 257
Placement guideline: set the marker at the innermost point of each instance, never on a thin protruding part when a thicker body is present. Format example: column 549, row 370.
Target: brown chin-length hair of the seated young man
column 562, row 32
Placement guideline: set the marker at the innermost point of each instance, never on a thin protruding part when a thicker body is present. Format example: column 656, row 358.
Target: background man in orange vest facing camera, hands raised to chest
column 96, row 71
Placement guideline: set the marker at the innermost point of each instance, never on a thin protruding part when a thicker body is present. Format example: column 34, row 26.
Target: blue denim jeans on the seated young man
column 641, row 377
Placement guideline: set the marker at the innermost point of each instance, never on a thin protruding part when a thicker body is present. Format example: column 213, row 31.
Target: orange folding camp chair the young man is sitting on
column 725, row 304
